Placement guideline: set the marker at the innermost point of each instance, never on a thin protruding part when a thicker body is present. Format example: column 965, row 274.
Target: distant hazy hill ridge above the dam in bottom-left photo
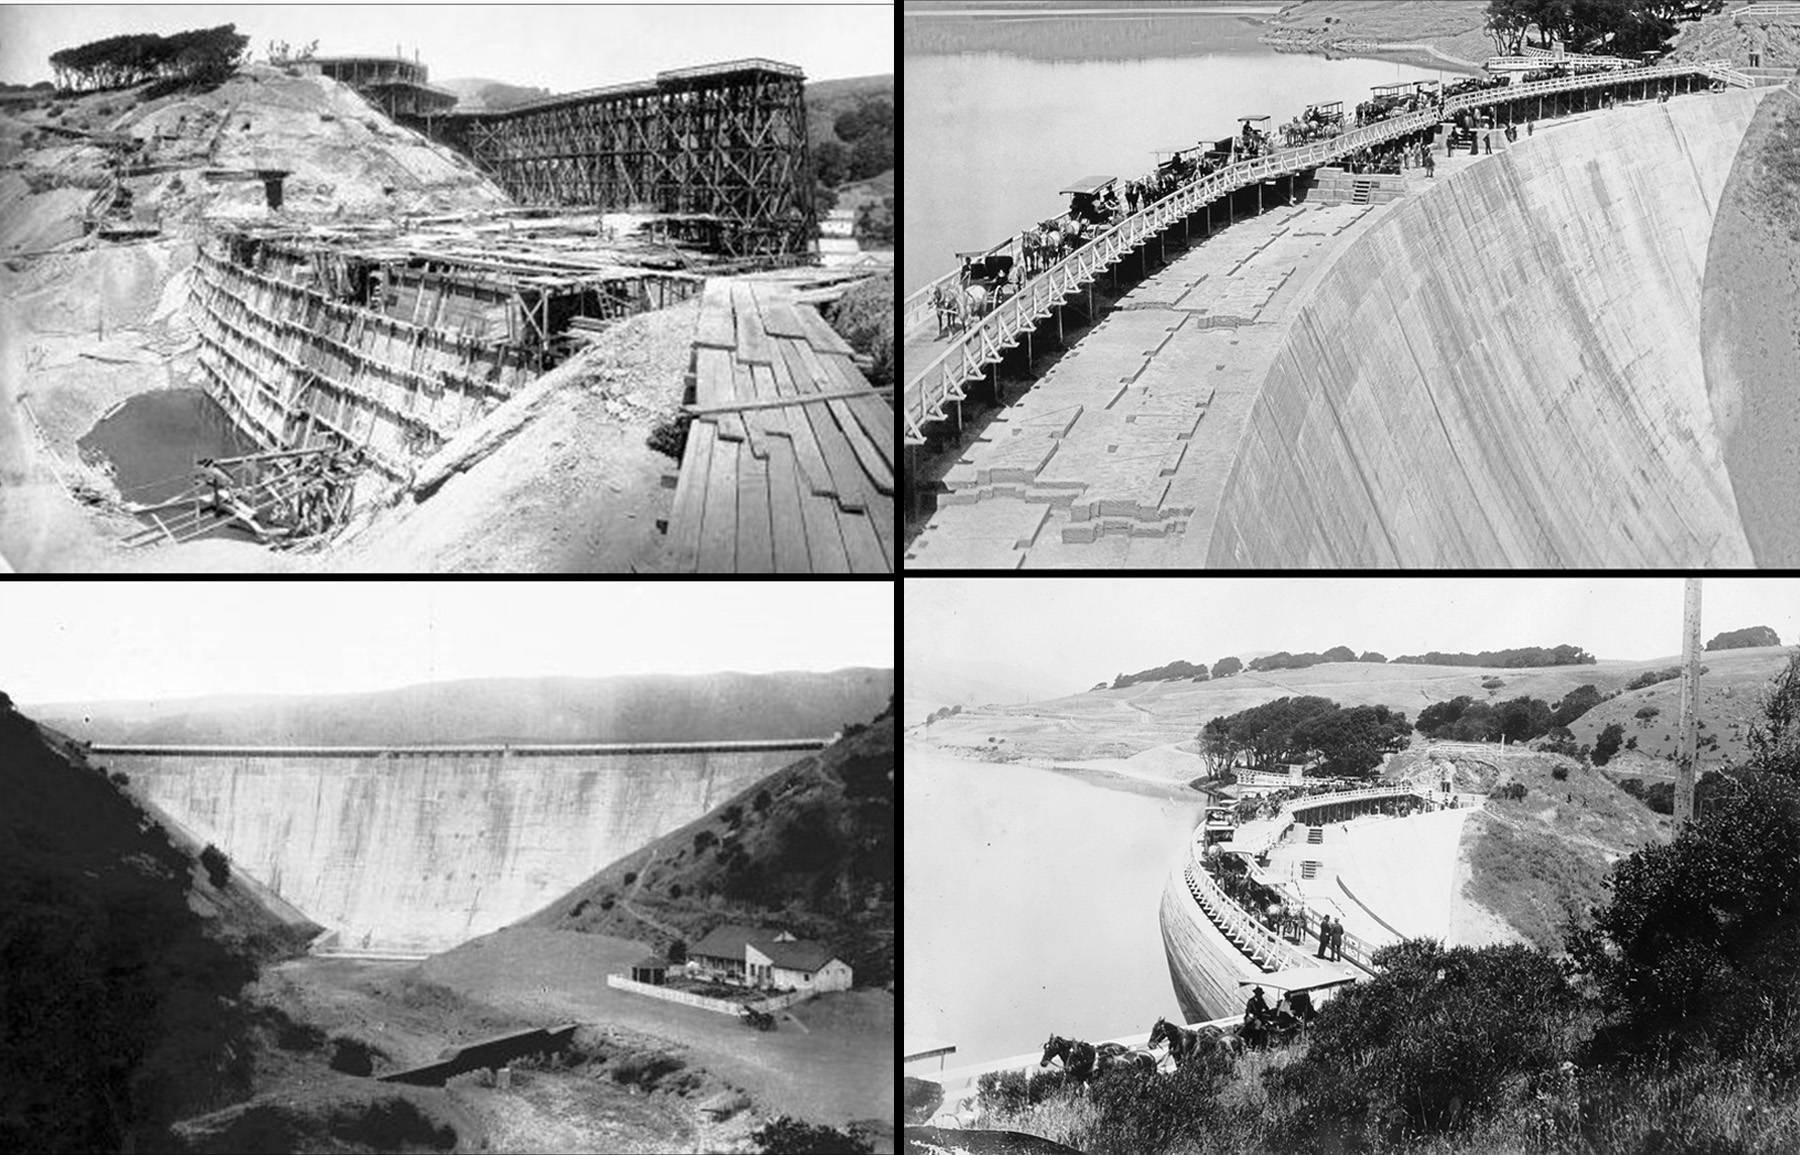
column 651, row 708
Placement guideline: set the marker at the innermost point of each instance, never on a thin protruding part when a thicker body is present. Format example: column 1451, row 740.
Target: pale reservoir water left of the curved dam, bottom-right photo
column 1032, row 906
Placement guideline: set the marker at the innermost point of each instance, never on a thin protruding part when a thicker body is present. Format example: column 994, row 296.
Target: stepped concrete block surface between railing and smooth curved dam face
column 1106, row 458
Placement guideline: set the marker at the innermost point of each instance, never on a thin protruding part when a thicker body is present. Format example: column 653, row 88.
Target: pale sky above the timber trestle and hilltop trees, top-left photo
column 562, row 49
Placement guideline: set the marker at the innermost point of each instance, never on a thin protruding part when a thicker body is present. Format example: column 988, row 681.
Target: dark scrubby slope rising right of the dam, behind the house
column 809, row 848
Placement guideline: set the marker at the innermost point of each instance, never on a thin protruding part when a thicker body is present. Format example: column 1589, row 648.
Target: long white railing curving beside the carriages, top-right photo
column 942, row 381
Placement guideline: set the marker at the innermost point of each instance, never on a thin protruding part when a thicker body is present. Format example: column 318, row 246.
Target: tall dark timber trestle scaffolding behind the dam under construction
column 726, row 141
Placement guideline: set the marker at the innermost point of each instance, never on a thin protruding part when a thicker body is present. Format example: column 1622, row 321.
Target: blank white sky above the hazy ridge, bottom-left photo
column 168, row 640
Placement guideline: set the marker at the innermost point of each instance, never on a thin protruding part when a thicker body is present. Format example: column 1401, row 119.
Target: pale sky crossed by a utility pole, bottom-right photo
column 1090, row 631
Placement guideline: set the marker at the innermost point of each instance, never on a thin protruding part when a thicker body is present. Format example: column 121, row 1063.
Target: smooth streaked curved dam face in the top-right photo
column 1509, row 368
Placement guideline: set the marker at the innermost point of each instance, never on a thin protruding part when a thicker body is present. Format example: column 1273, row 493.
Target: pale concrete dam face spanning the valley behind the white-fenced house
column 413, row 850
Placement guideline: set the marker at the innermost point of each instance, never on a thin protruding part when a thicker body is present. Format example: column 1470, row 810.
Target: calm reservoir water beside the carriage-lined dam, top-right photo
column 1000, row 114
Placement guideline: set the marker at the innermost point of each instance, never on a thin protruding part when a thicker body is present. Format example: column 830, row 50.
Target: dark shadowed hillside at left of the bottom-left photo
column 120, row 1005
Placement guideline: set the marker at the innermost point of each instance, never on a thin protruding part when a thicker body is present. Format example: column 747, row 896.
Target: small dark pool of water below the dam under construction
column 156, row 438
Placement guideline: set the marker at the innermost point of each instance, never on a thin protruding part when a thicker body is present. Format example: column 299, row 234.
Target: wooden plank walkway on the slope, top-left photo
column 789, row 463
